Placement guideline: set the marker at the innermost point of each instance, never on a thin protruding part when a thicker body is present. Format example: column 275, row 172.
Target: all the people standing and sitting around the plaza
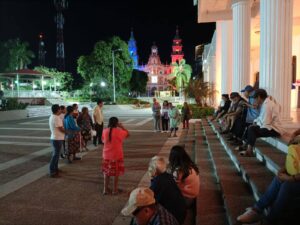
column 175, row 184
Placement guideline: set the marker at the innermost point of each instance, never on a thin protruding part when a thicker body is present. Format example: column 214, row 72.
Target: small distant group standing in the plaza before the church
column 169, row 118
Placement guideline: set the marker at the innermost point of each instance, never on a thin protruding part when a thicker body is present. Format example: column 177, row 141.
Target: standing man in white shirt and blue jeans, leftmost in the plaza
column 57, row 138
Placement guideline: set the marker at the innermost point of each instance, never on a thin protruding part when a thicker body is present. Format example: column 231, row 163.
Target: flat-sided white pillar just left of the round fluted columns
column 226, row 53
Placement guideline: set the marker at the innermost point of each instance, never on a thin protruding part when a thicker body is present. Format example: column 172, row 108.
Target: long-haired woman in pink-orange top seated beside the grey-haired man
column 185, row 172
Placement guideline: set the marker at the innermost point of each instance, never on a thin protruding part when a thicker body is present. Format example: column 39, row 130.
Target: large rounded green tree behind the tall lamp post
column 98, row 65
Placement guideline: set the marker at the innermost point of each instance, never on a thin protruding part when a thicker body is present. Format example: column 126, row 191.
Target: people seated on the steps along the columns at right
column 243, row 120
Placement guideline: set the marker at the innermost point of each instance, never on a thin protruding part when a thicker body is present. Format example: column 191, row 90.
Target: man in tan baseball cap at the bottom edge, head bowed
column 142, row 206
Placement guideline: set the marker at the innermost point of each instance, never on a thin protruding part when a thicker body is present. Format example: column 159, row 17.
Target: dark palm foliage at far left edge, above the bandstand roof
column 15, row 54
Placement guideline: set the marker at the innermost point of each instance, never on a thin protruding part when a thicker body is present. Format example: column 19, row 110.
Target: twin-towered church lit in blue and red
column 158, row 73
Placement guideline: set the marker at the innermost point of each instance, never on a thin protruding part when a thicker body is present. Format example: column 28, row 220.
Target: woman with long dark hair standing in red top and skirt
column 112, row 156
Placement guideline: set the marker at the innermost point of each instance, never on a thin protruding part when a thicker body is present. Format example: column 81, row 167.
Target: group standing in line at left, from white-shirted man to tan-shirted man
column 70, row 132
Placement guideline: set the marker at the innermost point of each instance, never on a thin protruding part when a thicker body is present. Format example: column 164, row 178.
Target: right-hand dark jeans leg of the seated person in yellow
column 286, row 193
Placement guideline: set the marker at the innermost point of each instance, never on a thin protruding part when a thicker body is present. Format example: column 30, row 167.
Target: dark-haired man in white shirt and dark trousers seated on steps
column 267, row 124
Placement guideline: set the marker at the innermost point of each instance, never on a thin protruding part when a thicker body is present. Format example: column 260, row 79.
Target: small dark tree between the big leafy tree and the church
column 138, row 82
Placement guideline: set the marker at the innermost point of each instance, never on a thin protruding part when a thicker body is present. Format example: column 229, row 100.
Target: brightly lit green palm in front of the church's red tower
column 182, row 73
